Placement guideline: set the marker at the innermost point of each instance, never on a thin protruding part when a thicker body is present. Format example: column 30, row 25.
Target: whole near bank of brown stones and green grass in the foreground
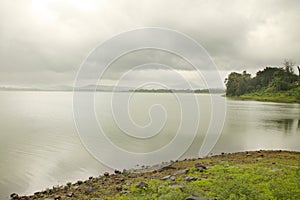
column 198, row 178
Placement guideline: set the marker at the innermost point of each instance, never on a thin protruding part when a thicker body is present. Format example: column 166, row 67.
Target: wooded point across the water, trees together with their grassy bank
column 279, row 84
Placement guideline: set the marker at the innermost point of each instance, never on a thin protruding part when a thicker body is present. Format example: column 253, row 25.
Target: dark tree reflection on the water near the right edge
column 289, row 126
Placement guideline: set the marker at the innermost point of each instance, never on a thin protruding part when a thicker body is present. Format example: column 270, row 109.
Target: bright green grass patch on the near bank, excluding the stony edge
column 228, row 181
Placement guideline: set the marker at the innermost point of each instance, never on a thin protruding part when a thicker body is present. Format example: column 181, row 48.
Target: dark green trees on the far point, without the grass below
column 271, row 78
